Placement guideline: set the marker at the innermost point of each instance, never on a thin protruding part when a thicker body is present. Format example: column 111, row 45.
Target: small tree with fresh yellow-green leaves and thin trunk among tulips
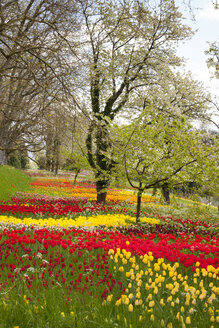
column 156, row 150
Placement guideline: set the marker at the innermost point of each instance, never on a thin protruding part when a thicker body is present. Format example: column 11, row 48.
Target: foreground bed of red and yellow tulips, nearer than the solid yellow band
column 124, row 274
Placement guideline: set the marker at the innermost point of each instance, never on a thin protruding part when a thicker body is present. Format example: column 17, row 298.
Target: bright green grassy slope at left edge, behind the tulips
column 11, row 181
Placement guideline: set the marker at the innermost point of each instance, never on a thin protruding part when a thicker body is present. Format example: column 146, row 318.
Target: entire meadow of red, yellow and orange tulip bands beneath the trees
column 68, row 262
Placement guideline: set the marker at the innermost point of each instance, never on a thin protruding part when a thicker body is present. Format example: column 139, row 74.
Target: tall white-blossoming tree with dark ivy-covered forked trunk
column 126, row 46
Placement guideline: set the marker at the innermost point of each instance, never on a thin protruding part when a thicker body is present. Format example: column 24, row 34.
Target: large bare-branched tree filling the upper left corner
column 32, row 37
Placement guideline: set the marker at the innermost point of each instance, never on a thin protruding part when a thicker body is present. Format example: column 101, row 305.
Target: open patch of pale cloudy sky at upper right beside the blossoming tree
column 207, row 25
